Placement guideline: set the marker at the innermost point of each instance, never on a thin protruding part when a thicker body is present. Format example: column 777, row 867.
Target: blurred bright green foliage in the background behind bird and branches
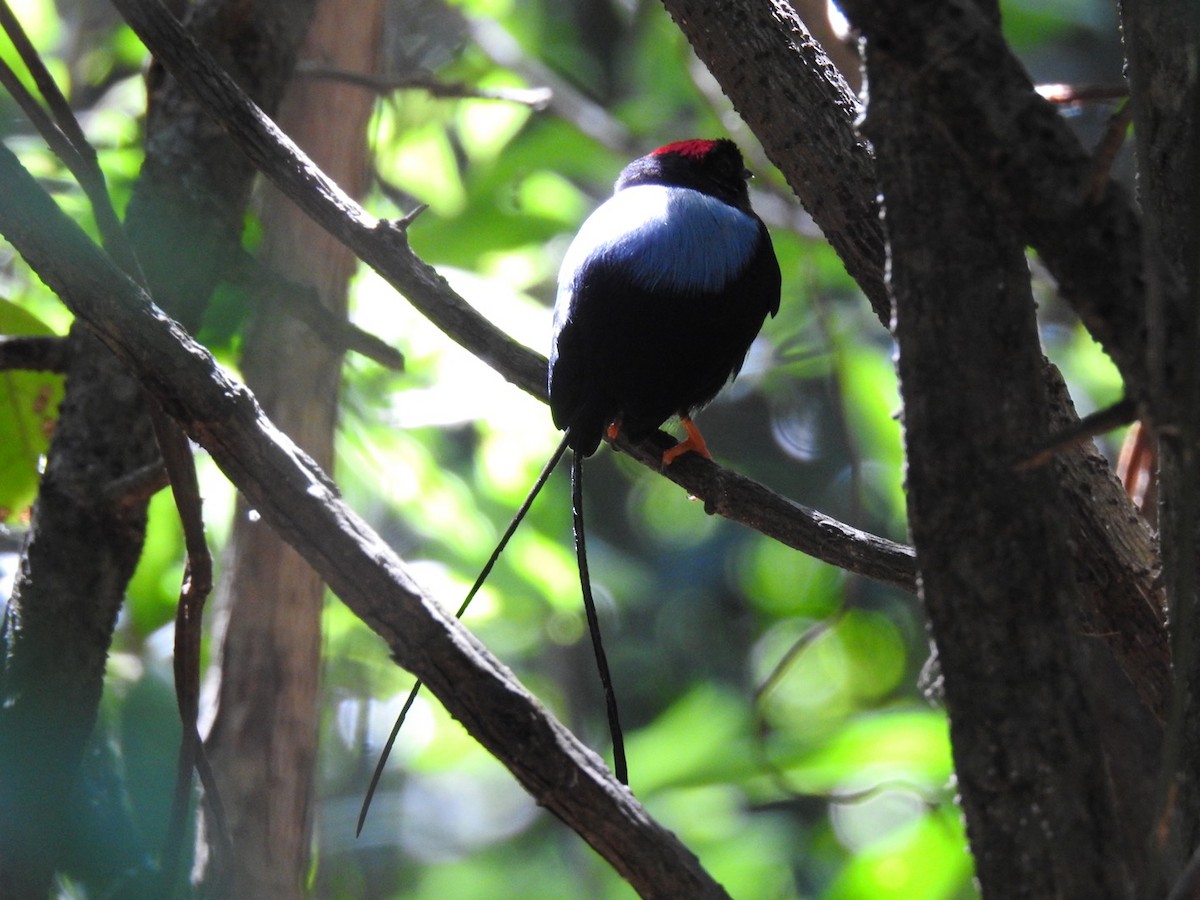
column 772, row 703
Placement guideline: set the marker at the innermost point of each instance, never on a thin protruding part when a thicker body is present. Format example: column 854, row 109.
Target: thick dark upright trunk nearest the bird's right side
column 992, row 547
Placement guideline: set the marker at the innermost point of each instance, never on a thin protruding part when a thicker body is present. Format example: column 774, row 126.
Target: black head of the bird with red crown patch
column 713, row 167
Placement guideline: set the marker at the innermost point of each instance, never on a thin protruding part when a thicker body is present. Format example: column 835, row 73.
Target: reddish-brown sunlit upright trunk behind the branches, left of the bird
column 263, row 741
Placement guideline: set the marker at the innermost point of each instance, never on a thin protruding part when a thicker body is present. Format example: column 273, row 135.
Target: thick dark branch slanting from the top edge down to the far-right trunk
column 1022, row 157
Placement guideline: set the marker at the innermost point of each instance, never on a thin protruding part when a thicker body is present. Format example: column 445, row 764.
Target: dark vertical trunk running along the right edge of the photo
column 1161, row 46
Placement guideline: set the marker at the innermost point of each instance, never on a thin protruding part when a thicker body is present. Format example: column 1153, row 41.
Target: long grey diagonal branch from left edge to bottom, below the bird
column 299, row 501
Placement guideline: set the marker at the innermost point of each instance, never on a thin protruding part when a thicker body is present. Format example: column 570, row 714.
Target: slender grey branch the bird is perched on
column 386, row 250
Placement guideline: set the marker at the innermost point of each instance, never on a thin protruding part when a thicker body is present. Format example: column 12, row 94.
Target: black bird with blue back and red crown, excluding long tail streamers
column 661, row 295
